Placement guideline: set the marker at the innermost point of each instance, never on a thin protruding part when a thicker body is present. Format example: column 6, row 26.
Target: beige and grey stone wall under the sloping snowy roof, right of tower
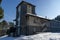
column 36, row 25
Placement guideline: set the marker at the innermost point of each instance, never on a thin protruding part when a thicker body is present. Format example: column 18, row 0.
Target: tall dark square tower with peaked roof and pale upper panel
column 22, row 9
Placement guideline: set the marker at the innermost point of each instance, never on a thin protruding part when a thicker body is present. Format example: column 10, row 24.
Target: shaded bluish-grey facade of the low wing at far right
column 54, row 26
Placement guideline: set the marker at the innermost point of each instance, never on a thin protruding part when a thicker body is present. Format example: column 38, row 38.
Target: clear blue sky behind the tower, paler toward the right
column 49, row 8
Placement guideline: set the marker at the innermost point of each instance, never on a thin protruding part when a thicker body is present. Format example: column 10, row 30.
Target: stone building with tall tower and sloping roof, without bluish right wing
column 27, row 21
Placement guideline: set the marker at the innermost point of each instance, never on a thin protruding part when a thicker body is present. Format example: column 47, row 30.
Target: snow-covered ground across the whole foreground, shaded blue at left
column 41, row 36
